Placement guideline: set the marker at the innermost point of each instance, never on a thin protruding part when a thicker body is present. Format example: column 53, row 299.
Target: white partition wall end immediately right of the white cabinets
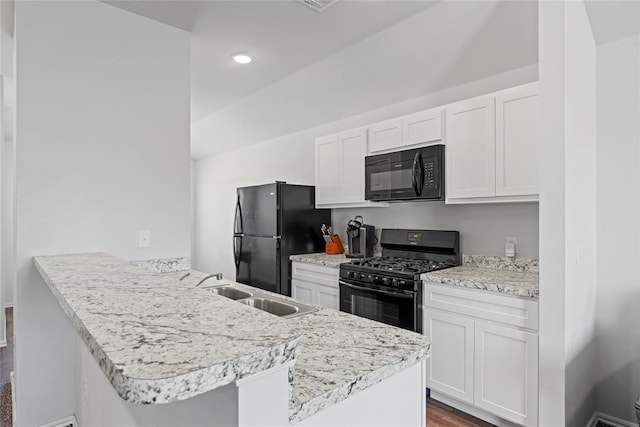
column 568, row 240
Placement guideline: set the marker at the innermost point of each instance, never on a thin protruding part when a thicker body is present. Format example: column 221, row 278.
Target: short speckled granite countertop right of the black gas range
column 517, row 277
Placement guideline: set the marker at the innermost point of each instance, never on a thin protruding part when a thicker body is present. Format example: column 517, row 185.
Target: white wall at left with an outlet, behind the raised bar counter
column 102, row 151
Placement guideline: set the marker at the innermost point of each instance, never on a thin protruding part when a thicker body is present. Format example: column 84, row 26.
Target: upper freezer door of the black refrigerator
column 257, row 210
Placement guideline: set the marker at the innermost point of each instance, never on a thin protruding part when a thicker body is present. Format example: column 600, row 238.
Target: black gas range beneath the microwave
column 388, row 288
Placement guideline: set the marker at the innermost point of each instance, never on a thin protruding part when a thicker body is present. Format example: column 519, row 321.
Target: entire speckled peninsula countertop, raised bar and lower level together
column 158, row 339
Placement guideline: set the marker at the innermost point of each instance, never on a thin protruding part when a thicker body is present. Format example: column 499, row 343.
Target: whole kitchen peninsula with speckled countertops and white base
column 155, row 350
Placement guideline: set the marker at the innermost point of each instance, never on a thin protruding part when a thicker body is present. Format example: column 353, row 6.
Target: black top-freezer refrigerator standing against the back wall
column 272, row 222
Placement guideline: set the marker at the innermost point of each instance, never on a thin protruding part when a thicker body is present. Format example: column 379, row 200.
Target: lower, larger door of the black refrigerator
column 258, row 262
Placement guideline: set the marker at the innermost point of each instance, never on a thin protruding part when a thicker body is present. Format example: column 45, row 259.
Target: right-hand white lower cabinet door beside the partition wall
column 506, row 367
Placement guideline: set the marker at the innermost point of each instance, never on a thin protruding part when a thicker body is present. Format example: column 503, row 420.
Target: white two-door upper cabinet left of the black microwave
column 340, row 170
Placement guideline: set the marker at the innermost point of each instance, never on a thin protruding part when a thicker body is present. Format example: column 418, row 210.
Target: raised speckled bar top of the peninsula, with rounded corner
column 157, row 342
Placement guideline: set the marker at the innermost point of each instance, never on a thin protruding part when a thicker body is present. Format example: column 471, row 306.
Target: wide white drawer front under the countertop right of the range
column 512, row 311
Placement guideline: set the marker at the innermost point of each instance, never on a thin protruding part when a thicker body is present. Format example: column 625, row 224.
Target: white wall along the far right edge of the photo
column 618, row 215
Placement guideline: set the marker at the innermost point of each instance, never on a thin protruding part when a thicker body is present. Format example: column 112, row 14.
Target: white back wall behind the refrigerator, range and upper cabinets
column 291, row 159
